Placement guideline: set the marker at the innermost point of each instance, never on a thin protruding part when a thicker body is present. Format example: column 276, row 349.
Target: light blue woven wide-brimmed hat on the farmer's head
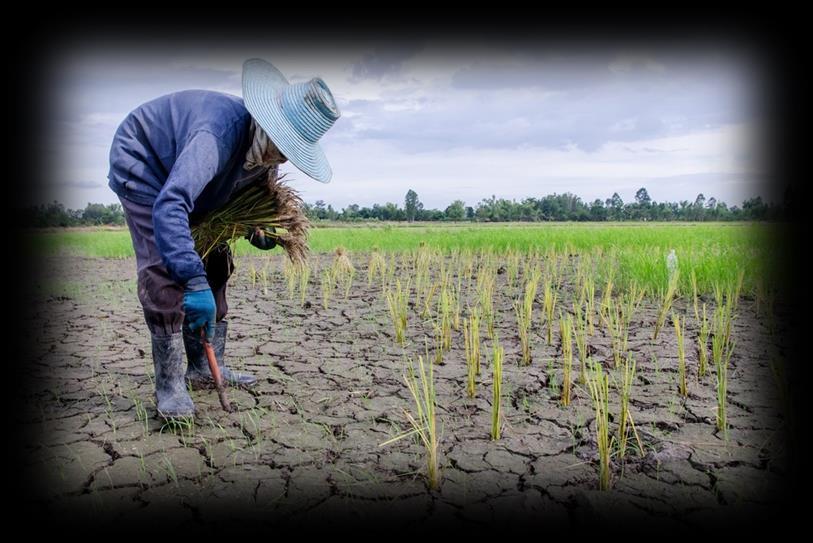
column 294, row 116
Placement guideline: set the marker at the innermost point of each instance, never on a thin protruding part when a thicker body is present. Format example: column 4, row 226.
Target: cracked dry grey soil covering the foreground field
column 304, row 443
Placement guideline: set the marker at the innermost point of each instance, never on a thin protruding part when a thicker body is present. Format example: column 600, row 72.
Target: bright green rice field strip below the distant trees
column 715, row 252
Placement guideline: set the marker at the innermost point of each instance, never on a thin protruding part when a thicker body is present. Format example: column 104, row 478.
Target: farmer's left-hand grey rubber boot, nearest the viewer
column 170, row 388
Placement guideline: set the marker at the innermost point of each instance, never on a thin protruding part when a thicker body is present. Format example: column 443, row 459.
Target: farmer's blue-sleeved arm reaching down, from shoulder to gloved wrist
column 201, row 159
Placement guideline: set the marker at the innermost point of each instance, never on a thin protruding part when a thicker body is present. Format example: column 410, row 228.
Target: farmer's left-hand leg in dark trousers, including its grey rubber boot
column 162, row 302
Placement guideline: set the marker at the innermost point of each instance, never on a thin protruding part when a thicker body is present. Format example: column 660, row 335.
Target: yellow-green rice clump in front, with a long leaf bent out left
column 424, row 421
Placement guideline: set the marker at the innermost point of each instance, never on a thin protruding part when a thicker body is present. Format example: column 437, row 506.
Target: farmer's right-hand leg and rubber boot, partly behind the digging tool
column 219, row 267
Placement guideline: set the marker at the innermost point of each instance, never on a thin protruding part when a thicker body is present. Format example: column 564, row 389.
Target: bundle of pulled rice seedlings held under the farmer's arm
column 273, row 206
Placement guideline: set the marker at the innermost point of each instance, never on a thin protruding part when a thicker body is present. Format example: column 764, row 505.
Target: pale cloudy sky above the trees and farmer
column 452, row 121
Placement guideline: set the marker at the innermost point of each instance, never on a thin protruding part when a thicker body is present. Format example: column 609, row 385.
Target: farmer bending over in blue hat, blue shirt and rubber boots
column 181, row 156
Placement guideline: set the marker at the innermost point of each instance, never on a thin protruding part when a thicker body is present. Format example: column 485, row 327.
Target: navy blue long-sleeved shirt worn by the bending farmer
column 182, row 154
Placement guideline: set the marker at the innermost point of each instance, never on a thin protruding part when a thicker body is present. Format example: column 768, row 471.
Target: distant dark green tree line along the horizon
column 553, row 207
